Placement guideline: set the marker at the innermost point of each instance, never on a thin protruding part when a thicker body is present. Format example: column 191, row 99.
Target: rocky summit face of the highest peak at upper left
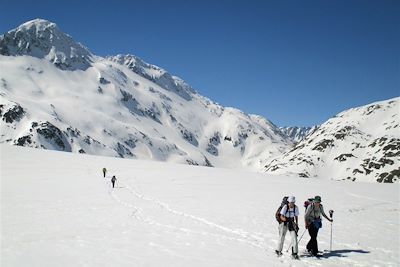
column 43, row 39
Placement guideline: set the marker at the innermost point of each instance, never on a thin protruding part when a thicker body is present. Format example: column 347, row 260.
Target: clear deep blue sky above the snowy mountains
column 293, row 62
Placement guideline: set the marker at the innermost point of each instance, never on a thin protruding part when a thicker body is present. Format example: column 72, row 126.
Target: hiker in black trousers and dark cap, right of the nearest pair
column 313, row 223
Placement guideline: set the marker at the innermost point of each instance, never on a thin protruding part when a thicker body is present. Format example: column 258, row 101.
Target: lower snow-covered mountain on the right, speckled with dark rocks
column 361, row 144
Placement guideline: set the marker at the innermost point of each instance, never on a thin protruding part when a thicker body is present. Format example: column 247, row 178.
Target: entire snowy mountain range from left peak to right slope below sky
column 55, row 94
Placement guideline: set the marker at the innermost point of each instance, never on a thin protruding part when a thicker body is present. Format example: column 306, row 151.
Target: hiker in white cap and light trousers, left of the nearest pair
column 289, row 221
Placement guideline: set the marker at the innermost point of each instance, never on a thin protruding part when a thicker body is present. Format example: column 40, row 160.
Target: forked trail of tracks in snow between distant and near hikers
column 244, row 237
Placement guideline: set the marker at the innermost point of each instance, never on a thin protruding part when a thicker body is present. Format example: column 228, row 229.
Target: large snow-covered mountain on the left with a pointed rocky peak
column 55, row 94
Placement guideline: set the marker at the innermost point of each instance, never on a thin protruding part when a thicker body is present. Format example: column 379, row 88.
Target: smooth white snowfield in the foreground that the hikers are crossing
column 58, row 210
